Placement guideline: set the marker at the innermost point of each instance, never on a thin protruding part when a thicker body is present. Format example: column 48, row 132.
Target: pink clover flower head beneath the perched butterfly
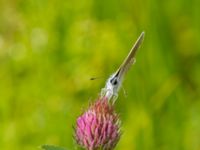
column 98, row 127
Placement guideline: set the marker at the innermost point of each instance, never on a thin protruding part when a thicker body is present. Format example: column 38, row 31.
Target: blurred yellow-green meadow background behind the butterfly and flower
column 49, row 50
